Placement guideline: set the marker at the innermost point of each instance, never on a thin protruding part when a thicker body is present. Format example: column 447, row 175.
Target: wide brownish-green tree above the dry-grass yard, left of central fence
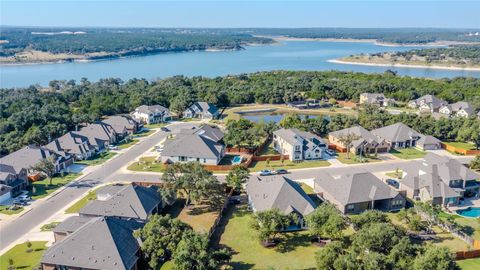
column 191, row 179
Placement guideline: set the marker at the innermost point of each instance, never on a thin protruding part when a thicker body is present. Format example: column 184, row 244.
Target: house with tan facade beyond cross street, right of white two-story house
column 366, row 142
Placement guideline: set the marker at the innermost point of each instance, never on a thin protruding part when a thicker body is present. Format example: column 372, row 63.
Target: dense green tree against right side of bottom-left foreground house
column 160, row 237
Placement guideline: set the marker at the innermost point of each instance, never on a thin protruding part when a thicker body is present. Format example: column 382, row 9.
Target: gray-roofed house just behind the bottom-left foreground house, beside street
column 124, row 201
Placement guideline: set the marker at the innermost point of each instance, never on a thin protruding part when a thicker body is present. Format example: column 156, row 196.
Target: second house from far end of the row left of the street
column 100, row 135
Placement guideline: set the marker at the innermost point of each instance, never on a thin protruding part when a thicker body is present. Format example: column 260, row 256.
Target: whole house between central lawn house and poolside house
column 355, row 193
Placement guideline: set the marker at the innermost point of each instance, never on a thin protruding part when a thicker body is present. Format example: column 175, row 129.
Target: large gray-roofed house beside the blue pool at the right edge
column 439, row 179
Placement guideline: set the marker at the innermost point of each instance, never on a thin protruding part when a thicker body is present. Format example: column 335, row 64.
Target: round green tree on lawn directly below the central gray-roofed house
column 269, row 223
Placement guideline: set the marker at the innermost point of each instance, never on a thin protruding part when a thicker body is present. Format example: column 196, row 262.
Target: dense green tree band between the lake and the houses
column 36, row 115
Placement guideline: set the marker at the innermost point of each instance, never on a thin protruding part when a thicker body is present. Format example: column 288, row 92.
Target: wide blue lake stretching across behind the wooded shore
column 288, row 55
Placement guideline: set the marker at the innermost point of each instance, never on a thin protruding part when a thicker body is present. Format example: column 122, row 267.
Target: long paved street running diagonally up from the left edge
column 107, row 172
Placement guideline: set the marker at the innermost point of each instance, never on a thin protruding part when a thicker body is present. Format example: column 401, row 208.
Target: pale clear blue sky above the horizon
column 230, row 13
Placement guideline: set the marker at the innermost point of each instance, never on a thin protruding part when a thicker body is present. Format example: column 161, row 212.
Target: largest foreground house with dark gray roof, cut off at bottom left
column 105, row 243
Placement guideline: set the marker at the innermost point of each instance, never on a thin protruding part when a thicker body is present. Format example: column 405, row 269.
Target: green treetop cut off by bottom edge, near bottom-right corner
column 435, row 258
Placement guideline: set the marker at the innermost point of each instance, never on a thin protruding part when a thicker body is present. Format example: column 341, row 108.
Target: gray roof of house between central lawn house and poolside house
column 354, row 188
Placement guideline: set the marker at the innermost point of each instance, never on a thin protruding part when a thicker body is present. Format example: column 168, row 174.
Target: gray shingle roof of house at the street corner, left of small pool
column 190, row 144
